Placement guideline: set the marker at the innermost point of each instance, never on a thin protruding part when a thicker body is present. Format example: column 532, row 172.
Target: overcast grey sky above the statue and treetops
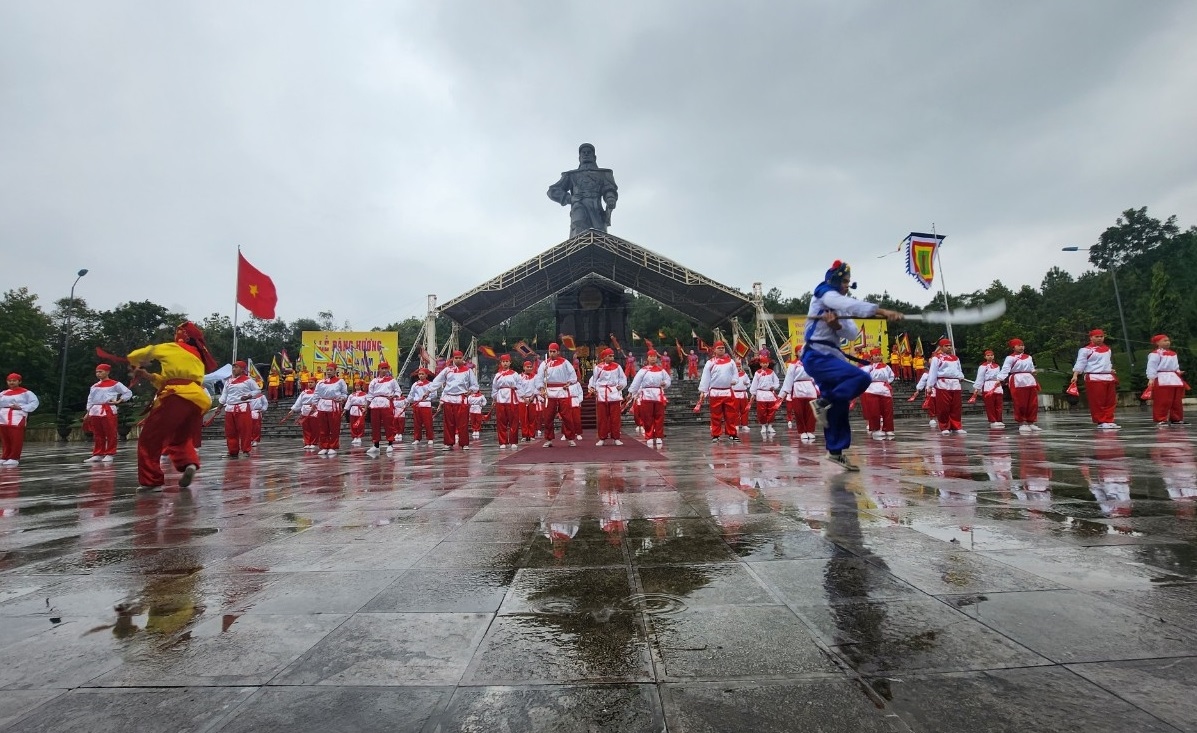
column 368, row 154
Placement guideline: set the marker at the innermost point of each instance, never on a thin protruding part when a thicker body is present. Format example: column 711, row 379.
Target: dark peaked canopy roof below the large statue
column 596, row 253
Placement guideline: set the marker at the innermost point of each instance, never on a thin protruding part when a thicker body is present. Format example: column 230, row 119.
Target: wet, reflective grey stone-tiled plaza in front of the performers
column 983, row 583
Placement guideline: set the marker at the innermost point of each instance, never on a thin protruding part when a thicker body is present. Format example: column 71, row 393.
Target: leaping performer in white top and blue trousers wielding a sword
column 829, row 325
